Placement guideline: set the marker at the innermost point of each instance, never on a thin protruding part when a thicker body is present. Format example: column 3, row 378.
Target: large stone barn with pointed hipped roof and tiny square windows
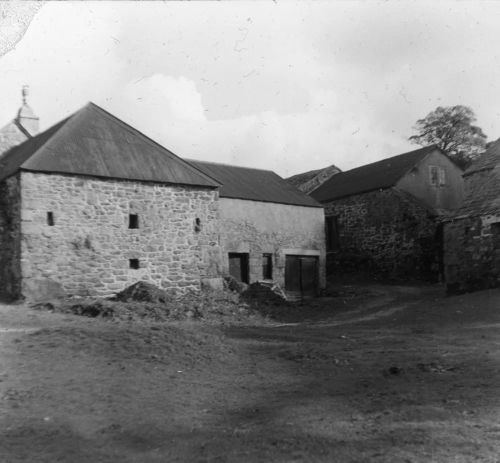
column 91, row 206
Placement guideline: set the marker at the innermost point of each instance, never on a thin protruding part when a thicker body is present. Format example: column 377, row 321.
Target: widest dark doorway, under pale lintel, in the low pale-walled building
column 301, row 275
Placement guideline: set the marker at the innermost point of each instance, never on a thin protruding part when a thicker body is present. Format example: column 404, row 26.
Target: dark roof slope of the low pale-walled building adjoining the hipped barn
column 254, row 184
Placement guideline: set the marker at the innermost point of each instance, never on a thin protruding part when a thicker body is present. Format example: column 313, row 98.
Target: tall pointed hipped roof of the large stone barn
column 94, row 142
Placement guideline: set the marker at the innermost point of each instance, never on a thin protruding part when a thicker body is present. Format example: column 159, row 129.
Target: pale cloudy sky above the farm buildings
column 280, row 85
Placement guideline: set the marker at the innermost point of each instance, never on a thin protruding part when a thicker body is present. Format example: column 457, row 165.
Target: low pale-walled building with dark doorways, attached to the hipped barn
column 269, row 231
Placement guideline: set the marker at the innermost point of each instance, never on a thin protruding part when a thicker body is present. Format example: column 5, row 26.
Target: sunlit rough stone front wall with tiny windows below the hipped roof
column 88, row 250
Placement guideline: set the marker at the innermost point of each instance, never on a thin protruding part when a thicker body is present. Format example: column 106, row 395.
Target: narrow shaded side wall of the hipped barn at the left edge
column 10, row 215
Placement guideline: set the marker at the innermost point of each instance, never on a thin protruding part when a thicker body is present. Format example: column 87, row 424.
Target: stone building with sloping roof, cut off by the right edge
column 472, row 236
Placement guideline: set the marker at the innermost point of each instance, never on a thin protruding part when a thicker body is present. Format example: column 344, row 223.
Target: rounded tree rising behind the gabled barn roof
column 451, row 129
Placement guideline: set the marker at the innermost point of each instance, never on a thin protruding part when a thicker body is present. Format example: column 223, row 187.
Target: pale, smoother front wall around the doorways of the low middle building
column 256, row 227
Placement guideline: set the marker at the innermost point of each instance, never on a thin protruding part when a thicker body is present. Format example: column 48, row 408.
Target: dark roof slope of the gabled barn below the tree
column 378, row 175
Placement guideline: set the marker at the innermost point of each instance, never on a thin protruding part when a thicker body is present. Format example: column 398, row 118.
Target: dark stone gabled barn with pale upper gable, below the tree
column 384, row 217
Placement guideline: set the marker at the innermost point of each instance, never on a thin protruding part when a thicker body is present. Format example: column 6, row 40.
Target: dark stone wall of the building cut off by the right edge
column 472, row 253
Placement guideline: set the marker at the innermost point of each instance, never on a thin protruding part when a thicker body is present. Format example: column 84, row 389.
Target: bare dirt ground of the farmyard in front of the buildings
column 378, row 374
